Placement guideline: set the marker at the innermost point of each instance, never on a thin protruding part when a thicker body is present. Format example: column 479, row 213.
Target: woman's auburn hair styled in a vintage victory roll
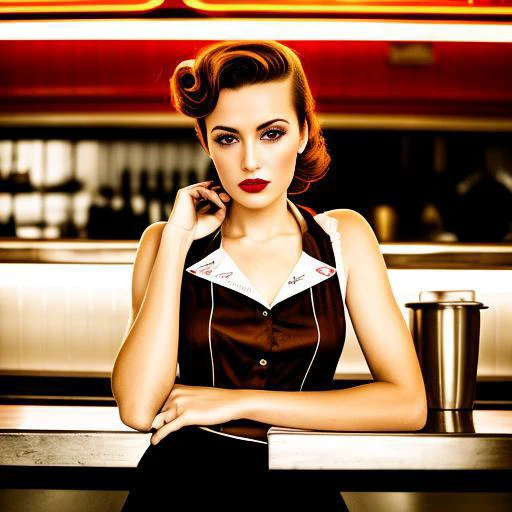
column 196, row 83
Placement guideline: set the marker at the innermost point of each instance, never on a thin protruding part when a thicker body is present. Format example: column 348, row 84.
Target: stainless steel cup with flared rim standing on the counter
column 445, row 326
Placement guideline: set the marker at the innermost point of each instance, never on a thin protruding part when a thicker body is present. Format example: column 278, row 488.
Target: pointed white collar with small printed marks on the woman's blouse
column 218, row 267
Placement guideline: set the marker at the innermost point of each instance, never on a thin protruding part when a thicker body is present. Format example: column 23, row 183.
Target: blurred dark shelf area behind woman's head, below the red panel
column 410, row 185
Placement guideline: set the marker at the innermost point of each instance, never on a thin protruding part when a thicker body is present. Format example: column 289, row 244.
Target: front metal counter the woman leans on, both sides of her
column 94, row 436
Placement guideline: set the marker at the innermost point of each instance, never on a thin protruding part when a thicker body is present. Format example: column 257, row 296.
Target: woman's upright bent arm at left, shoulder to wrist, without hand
column 144, row 371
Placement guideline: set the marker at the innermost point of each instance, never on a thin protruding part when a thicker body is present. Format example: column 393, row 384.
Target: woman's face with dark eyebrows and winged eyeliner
column 252, row 133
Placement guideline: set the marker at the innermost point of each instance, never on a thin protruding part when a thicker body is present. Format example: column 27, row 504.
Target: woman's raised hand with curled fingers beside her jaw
column 192, row 207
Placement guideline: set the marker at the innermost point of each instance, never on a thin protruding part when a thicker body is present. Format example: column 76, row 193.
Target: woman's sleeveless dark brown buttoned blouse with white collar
column 231, row 338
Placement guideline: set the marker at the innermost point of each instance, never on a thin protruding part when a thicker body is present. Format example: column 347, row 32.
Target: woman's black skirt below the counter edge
column 195, row 469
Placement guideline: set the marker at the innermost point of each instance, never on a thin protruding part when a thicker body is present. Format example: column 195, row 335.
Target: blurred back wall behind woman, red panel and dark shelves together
column 419, row 135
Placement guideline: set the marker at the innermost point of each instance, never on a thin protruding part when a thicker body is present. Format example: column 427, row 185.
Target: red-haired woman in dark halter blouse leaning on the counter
column 250, row 293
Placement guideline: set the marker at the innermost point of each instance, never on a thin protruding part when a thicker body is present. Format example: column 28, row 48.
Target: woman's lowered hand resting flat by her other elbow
column 195, row 405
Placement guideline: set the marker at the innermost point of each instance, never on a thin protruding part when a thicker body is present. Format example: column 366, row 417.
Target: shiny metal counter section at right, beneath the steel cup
column 462, row 440
